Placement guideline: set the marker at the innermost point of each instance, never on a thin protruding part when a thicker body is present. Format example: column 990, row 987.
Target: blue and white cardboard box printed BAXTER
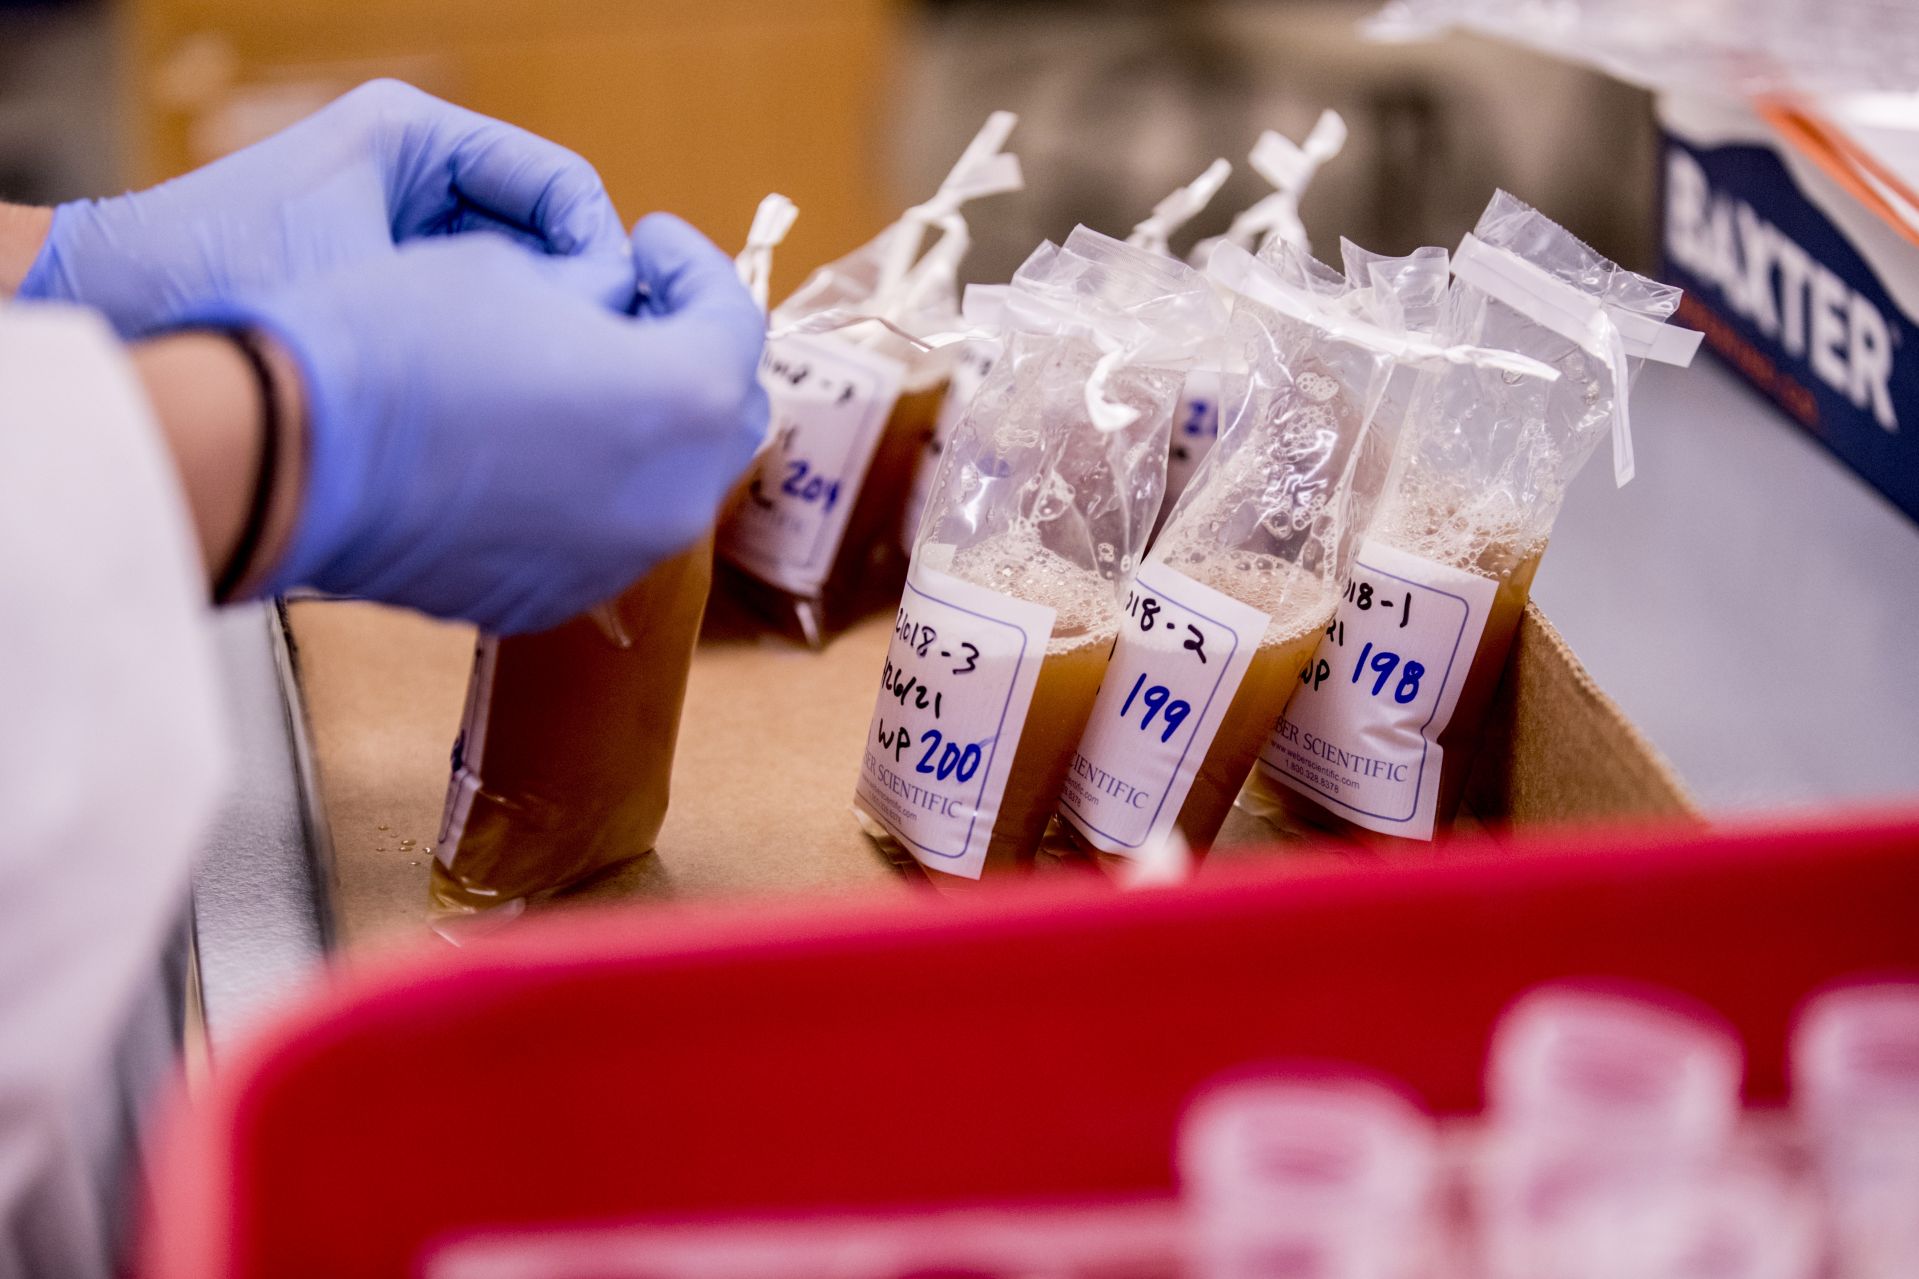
column 1797, row 243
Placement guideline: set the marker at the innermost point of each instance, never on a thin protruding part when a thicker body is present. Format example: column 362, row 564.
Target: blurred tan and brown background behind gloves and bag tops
column 857, row 109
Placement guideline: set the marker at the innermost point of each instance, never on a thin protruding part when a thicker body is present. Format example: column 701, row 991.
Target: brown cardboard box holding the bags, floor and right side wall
column 770, row 750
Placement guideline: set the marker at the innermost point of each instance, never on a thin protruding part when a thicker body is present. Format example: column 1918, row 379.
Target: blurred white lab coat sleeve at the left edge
column 112, row 746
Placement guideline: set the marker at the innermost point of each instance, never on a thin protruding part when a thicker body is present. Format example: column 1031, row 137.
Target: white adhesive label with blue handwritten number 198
column 1362, row 735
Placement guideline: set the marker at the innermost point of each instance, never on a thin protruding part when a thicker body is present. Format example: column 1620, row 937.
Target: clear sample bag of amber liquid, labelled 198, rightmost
column 1386, row 723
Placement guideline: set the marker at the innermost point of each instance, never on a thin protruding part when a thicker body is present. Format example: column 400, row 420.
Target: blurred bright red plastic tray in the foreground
column 1037, row 1042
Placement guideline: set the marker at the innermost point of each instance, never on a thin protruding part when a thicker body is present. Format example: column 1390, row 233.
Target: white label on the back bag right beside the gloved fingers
column 830, row 404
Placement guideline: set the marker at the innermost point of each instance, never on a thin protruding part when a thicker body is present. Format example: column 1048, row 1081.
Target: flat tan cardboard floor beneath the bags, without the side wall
column 770, row 746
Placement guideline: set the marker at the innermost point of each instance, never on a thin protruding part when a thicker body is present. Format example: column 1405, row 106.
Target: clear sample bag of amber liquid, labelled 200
column 1018, row 581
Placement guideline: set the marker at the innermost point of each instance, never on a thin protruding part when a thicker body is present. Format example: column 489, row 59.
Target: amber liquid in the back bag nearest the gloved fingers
column 868, row 569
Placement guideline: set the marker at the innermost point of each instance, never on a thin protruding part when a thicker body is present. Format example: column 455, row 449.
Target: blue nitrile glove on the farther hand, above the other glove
column 377, row 168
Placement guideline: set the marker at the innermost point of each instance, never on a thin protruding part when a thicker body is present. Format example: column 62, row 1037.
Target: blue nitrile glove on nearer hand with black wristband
column 488, row 439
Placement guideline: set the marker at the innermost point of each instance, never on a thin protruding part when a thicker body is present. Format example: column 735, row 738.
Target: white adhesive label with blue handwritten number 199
column 1183, row 650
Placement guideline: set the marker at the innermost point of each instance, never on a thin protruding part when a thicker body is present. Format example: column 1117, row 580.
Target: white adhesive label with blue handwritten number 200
column 953, row 698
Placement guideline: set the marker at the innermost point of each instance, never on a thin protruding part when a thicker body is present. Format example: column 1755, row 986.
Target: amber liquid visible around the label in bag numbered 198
column 1459, row 742
